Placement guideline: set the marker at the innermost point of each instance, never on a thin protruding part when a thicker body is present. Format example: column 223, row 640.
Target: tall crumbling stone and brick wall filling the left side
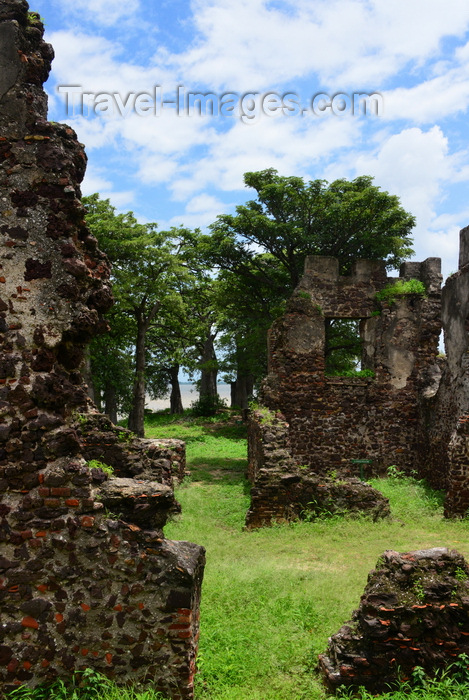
column 87, row 578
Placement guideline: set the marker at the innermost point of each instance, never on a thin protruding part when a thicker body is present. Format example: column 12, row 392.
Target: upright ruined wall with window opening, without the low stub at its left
column 333, row 420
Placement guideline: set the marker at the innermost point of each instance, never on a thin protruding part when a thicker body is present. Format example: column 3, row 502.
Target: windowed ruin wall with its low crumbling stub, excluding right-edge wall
column 326, row 422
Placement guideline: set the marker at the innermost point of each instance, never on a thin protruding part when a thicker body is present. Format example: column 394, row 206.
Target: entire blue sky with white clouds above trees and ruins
column 180, row 169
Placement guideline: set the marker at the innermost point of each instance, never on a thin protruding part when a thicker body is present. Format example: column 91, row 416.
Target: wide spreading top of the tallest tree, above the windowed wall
column 291, row 219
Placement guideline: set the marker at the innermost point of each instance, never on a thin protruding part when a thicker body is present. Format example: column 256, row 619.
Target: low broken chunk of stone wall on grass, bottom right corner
column 413, row 612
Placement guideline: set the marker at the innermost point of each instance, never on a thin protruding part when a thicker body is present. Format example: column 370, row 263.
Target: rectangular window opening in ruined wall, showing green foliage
column 343, row 347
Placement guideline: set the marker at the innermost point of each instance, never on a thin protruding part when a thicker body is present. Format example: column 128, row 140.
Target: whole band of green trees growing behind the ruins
column 204, row 301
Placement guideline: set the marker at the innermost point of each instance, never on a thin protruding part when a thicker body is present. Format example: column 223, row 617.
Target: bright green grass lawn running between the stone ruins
column 272, row 597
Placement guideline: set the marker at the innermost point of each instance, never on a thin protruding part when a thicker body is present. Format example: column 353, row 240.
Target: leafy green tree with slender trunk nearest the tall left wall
column 145, row 268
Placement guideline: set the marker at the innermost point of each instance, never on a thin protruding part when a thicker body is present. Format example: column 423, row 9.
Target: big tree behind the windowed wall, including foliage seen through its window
column 260, row 251
